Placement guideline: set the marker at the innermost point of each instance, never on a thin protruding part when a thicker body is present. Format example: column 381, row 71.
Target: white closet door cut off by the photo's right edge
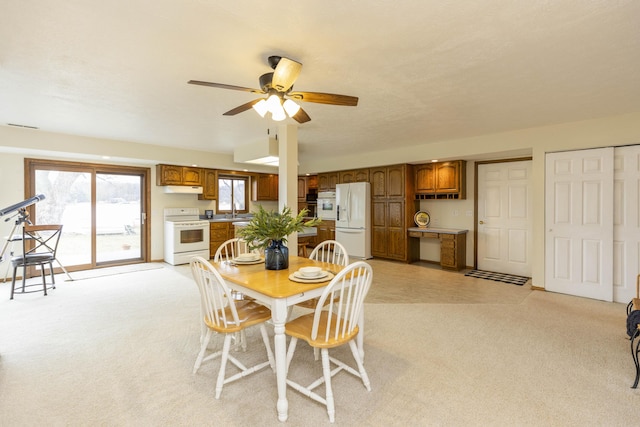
column 626, row 222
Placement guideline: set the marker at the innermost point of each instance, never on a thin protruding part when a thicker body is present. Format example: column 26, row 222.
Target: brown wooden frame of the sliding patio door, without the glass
column 30, row 167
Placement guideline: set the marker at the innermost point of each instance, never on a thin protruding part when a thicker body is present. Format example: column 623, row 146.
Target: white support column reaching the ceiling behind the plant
column 288, row 175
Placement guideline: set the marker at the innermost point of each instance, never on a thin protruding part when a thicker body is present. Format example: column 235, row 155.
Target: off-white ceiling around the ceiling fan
column 424, row 70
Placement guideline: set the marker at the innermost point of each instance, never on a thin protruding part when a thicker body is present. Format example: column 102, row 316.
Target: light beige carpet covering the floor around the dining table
column 118, row 351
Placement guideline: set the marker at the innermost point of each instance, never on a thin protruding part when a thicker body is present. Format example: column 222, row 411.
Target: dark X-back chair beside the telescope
column 39, row 247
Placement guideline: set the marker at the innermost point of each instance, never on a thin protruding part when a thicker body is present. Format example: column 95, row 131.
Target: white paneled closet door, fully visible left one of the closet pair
column 579, row 223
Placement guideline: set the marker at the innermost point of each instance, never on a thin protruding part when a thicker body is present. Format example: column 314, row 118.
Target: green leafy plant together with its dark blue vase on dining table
column 269, row 230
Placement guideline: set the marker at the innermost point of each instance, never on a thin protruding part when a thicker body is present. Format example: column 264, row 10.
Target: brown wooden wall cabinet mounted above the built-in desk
column 442, row 180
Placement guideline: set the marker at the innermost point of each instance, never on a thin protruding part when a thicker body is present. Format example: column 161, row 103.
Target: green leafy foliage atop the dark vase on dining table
column 267, row 226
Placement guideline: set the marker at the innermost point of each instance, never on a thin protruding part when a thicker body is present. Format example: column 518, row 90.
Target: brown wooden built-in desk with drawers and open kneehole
column 453, row 245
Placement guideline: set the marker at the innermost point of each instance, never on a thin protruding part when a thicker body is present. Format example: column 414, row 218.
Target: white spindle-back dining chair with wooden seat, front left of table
column 226, row 316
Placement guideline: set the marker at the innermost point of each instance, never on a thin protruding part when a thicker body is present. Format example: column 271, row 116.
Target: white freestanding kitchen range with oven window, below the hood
column 185, row 235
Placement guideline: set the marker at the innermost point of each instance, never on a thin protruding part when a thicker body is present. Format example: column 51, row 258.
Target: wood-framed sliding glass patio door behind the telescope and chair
column 102, row 209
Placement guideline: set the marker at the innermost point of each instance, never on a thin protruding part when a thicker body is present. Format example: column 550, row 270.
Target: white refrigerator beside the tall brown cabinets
column 353, row 218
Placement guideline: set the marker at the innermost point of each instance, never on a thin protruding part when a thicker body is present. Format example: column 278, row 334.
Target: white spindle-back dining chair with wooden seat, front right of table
column 332, row 325
